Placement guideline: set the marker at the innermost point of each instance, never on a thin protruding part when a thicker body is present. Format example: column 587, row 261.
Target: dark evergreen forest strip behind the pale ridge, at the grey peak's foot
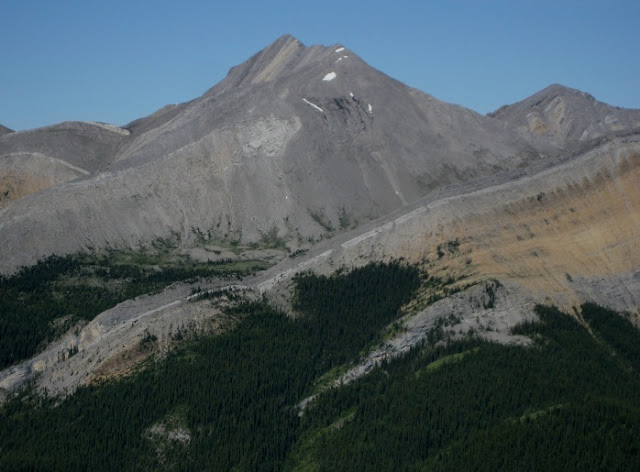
column 41, row 302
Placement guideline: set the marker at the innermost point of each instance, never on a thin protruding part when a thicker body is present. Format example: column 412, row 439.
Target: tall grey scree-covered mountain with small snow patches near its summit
column 303, row 141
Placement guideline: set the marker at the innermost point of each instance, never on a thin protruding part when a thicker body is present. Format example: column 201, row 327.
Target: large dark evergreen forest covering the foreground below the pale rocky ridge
column 569, row 402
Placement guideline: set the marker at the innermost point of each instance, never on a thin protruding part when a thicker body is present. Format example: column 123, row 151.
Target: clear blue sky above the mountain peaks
column 117, row 61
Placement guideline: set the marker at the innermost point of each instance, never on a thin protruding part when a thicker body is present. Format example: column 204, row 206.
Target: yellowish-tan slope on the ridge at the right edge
column 587, row 226
